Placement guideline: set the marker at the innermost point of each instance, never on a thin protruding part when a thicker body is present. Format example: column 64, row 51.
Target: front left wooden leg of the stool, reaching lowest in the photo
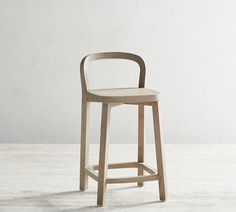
column 103, row 153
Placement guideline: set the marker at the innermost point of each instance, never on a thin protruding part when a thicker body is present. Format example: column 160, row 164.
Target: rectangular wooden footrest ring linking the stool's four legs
column 91, row 171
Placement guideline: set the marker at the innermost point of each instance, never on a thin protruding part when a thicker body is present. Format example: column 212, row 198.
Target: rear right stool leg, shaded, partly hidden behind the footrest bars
column 140, row 139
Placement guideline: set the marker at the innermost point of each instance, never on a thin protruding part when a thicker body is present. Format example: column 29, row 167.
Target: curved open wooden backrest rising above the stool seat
column 111, row 55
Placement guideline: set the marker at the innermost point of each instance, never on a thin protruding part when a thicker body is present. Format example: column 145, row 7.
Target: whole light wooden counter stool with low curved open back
column 112, row 97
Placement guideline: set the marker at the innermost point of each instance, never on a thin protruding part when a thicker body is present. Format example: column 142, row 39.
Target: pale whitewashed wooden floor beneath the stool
column 46, row 178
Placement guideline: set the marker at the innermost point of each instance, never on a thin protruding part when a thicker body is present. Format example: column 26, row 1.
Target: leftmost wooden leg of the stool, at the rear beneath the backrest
column 84, row 146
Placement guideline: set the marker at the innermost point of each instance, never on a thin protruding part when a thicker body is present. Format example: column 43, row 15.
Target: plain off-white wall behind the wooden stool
column 189, row 47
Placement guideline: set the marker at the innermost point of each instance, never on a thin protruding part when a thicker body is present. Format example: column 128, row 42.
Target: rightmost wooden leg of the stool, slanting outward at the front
column 159, row 152
